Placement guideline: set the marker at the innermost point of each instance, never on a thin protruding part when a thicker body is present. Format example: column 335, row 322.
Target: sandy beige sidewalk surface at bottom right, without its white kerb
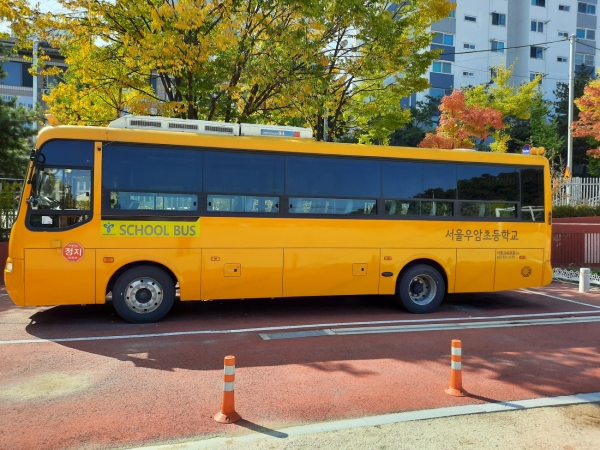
column 565, row 428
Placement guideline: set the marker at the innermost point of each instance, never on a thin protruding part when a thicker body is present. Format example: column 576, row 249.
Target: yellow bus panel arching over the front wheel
column 184, row 263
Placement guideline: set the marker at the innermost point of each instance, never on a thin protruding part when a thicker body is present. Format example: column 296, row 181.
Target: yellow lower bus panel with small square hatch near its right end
column 330, row 271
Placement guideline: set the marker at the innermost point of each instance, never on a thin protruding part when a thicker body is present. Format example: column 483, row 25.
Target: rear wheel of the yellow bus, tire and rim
column 421, row 289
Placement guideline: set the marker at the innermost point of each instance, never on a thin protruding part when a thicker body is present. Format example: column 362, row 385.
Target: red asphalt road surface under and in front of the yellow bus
column 80, row 377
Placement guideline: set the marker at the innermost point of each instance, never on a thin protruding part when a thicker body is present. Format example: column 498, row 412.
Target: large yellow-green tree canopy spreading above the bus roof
column 253, row 61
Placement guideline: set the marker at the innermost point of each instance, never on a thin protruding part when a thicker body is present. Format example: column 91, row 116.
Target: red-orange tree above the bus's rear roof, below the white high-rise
column 461, row 124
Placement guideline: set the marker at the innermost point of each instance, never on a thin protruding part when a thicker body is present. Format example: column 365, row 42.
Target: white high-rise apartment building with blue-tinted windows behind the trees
column 530, row 33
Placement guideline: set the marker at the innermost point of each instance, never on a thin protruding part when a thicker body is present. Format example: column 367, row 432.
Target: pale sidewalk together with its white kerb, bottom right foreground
column 515, row 425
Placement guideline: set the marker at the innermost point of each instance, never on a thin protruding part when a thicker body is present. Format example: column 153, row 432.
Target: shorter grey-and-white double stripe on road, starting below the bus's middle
column 431, row 327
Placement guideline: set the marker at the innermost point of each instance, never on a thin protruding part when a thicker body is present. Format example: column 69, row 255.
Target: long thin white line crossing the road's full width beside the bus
column 290, row 327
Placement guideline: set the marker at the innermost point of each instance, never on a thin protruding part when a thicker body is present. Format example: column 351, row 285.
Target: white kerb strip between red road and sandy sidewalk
column 409, row 416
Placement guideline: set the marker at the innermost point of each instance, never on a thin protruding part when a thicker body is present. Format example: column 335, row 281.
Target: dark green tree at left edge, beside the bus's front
column 15, row 129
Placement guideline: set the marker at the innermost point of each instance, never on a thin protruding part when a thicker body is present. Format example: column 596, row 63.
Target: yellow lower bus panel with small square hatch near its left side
column 241, row 273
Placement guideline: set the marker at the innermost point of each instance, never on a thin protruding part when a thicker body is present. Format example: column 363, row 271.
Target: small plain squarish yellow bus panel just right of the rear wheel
column 475, row 269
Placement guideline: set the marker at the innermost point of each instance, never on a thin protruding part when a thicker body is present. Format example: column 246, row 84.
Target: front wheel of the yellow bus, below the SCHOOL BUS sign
column 143, row 294
